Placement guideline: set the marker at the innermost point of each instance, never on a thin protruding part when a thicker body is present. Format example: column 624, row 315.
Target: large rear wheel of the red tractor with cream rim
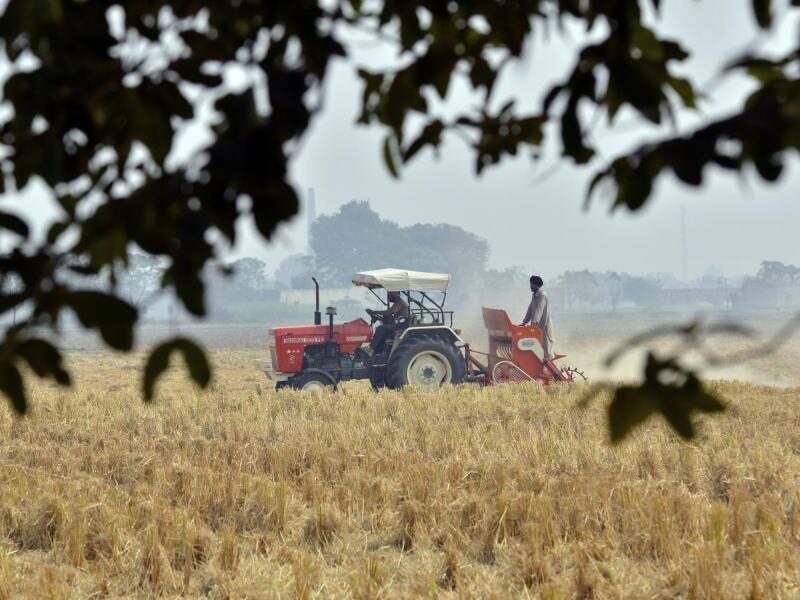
column 427, row 362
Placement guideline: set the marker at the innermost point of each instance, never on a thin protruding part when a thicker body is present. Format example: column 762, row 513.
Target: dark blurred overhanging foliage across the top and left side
column 99, row 92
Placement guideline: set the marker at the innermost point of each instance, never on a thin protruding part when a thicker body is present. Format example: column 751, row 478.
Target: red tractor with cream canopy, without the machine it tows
column 425, row 350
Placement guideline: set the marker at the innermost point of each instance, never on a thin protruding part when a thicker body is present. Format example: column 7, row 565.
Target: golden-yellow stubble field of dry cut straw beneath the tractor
column 238, row 492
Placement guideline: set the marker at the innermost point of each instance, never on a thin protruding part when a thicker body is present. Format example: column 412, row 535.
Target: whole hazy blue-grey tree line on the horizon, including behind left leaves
column 356, row 238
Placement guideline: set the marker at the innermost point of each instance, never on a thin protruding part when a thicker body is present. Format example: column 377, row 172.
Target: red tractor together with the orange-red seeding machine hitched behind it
column 422, row 350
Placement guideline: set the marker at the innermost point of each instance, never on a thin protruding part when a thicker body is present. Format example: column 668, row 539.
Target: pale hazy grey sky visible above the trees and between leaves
column 532, row 213
